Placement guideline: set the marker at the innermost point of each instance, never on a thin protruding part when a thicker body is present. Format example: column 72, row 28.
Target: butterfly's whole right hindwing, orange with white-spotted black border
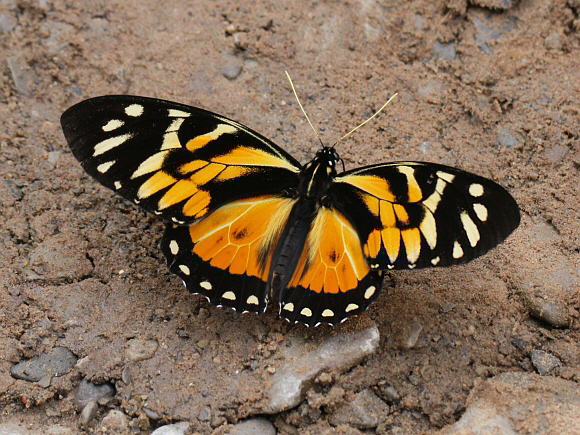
column 332, row 280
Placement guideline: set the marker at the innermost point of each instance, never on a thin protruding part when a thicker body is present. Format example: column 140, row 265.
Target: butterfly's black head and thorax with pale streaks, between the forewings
column 317, row 175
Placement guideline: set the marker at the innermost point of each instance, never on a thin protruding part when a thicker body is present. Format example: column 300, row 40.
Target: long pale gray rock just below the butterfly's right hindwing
column 304, row 361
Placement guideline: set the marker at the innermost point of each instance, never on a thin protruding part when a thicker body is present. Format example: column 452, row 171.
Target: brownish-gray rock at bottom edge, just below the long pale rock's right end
column 366, row 411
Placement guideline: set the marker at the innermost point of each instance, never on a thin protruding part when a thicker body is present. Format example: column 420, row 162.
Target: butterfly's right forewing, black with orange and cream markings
column 413, row 215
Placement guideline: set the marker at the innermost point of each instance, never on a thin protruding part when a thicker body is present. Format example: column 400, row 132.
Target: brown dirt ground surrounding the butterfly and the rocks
column 492, row 87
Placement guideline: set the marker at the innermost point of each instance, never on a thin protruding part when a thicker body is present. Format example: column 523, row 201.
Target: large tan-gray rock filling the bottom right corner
column 520, row 403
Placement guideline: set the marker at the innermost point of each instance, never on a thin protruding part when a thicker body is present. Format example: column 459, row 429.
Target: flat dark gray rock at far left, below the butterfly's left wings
column 57, row 362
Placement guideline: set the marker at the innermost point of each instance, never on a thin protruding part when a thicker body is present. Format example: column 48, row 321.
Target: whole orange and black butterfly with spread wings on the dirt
column 246, row 221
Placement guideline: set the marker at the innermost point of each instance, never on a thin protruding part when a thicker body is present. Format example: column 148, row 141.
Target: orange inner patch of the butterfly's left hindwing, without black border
column 236, row 236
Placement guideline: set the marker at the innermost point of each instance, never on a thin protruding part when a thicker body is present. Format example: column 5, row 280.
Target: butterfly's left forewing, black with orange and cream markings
column 177, row 161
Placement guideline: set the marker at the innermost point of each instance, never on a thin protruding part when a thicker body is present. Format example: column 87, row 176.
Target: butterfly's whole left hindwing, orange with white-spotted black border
column 226, row 256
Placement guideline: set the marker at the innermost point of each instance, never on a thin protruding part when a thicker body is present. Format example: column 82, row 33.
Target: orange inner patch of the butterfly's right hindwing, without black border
column 333, row 256
